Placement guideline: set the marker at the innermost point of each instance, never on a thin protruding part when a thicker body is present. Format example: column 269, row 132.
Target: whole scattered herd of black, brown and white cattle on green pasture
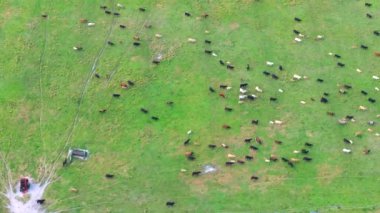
column 245, row 94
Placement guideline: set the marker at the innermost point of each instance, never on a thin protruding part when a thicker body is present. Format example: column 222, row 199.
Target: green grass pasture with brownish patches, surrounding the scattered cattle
column 45, row 85
